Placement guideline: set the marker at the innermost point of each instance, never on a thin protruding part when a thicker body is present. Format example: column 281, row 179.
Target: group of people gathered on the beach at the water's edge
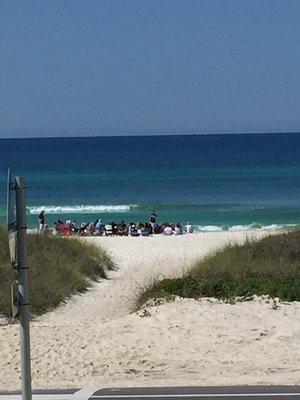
column 99, row 228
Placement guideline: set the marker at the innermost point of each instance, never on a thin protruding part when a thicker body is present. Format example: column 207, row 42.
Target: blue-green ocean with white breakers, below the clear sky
column 218, row 182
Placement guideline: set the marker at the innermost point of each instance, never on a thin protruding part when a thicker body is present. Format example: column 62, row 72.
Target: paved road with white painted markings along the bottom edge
column 177, row 393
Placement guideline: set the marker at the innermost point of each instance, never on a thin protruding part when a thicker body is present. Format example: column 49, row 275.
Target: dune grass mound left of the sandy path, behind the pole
column 59, row 267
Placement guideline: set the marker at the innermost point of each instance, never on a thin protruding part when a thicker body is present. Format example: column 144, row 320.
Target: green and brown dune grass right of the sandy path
column 270, row 266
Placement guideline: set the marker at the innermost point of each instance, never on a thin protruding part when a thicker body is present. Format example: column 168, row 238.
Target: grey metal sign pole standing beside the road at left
column 23, row 288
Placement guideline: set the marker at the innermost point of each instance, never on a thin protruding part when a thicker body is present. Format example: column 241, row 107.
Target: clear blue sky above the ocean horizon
column 113, row 67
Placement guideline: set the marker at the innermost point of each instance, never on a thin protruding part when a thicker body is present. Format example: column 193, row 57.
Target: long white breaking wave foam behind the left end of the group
column 82, row 209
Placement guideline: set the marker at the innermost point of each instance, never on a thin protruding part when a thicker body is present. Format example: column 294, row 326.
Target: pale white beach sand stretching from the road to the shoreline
column 94, row 340
